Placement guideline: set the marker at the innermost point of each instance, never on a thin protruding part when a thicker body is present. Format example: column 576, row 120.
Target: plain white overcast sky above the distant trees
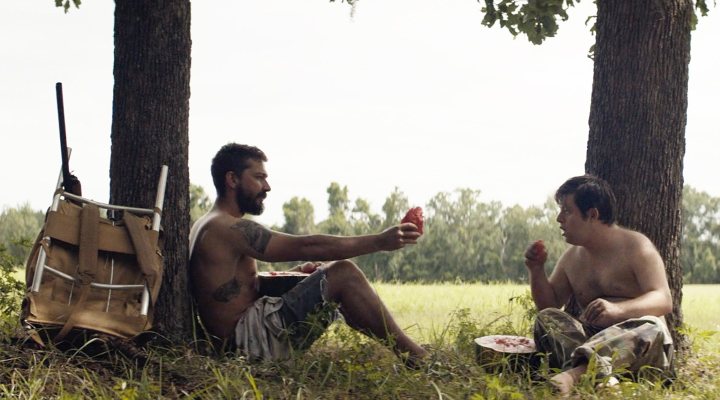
column 409, row 93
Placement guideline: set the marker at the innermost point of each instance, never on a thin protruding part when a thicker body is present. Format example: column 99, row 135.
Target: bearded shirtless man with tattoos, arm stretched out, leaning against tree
column 224, row 248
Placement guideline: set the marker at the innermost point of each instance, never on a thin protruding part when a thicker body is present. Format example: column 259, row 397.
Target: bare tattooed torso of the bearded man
column 224, row 282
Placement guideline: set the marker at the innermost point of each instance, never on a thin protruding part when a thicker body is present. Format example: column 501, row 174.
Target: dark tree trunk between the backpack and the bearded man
column 150, row 128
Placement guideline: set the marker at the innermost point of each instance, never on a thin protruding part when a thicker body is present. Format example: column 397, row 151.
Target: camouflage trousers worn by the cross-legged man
column 629, row 345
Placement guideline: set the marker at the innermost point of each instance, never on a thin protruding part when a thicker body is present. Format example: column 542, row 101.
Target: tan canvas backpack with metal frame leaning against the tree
column 87, row 271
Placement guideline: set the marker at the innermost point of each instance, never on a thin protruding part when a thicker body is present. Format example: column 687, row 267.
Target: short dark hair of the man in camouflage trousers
column 590, row 192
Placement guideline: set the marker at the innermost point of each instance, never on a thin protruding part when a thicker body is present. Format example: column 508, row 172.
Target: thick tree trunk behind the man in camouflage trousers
column 637, row 121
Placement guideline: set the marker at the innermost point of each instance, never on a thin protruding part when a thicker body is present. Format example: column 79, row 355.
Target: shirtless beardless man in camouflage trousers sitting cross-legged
column 617, row 277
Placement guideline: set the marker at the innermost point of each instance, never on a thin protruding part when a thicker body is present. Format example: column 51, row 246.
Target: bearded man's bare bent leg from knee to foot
column 363, row 309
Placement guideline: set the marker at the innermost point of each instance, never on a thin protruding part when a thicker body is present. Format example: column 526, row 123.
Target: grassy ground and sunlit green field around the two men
column 345, row 365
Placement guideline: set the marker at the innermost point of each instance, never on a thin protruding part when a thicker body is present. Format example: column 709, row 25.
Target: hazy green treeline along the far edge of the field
column 465, row 239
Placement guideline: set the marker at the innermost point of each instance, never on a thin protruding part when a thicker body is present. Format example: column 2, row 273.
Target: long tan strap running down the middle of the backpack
column 87, row 262
